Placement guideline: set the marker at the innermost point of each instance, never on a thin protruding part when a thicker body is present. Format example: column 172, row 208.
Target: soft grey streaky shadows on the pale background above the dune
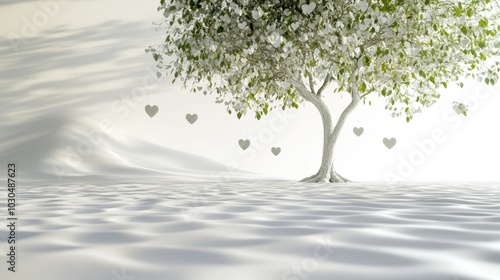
column 63, row 74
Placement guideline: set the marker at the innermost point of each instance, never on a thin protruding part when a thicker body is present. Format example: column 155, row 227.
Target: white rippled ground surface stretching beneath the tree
column 268, row 230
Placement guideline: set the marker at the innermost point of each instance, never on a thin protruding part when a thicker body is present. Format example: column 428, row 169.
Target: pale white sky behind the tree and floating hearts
column 95, row 50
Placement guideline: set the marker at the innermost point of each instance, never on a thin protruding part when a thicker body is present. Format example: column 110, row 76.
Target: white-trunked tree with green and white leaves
column 258, row 55
